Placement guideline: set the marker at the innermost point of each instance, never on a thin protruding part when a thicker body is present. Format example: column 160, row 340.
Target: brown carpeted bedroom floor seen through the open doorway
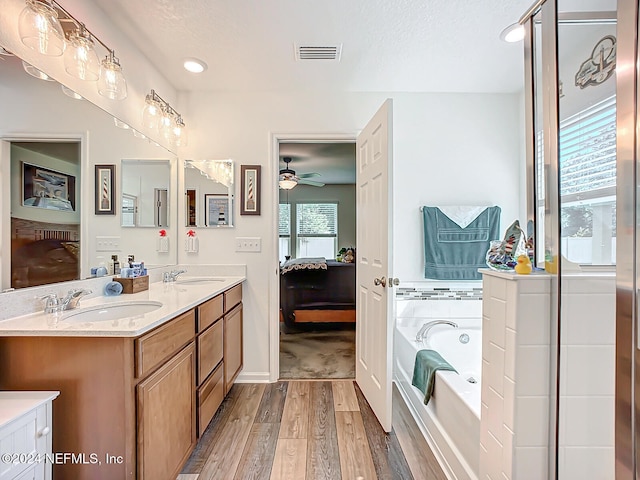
column 317, row 355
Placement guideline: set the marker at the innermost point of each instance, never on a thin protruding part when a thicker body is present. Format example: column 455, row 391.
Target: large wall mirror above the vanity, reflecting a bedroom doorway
column 42, row 115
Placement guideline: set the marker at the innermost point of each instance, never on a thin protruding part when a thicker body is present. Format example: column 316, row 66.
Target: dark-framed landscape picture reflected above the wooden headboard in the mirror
column 46, row 188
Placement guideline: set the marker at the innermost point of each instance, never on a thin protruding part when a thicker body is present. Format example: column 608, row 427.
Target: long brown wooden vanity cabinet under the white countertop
column 139, row 404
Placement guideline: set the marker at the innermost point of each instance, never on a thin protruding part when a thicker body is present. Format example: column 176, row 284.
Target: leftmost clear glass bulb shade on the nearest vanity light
column 40, row 29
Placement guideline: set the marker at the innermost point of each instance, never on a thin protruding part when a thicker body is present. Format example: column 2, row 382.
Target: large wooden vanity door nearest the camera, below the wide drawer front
column 167, row 417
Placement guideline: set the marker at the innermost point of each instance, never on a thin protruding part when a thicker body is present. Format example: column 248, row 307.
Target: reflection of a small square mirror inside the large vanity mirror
column 145, row 193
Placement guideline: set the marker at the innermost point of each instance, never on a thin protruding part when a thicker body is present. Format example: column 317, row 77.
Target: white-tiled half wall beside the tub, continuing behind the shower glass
column 516, row 376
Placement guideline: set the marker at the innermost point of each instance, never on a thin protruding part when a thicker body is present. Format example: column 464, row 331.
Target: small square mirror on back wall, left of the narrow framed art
column 209, row 193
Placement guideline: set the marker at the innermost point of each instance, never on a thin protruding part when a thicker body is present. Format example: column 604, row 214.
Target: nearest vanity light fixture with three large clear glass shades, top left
column 40, row 28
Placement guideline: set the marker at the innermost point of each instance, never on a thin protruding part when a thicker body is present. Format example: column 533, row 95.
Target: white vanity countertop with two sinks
column 175, row 297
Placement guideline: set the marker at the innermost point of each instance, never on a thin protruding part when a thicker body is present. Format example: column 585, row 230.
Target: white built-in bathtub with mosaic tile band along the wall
column 451, row 420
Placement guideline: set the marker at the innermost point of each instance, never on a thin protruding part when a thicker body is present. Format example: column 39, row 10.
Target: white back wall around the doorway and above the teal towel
column 448, row 148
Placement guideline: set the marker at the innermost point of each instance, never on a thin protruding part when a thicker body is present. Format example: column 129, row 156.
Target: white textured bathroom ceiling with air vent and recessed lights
column 399, row 45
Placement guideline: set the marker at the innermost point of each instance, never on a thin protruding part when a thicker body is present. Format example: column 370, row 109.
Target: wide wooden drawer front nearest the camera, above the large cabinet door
column 158, row 345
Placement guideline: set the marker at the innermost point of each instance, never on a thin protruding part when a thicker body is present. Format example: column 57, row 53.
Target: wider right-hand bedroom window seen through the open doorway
column 316, row 229
